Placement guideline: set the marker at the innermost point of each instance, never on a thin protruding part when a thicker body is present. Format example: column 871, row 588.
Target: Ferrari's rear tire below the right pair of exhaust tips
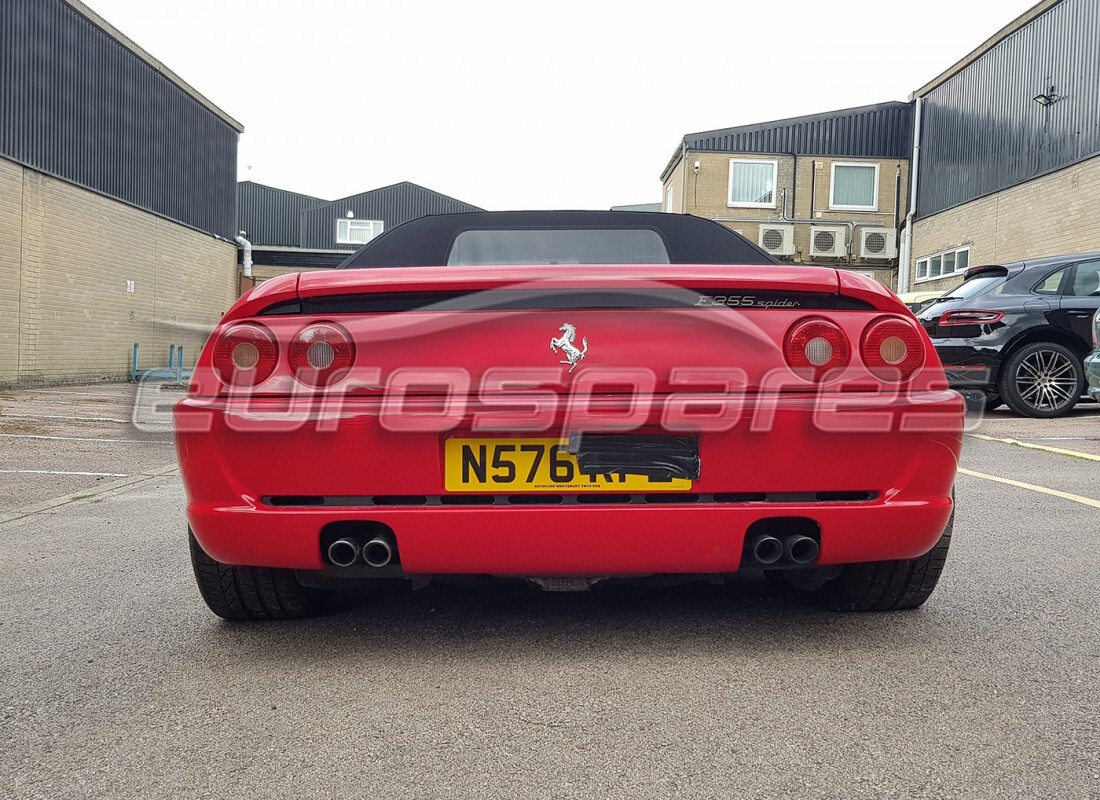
column 882, row 586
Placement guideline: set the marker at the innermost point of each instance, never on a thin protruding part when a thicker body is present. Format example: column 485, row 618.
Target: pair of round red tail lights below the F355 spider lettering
column 893, row 349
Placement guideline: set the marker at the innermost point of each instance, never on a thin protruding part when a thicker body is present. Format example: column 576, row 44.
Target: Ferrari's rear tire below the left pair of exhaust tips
column 252, row 593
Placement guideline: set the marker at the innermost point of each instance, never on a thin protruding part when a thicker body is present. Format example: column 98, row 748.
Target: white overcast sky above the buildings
column 519, row 105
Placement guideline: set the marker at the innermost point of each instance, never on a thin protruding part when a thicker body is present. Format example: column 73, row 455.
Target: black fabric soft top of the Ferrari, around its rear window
column 427, row 242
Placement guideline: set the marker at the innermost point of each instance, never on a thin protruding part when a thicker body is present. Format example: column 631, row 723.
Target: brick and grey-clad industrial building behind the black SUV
column 1007, row 152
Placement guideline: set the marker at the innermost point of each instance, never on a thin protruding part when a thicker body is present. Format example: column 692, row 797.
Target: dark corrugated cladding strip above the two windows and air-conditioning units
column 881, row 131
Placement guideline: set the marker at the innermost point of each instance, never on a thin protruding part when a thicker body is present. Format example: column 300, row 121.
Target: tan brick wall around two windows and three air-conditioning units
column 706, row 194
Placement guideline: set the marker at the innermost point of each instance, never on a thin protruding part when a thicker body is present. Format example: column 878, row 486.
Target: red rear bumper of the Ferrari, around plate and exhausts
column 903, row 451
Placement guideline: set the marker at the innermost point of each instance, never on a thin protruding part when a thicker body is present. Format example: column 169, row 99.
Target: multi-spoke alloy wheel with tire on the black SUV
column 1042, row 380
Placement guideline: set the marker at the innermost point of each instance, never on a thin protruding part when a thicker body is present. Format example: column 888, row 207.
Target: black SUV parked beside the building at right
column 1019, row 333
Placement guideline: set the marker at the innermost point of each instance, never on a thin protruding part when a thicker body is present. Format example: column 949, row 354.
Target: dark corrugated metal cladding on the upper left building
column 79, row 105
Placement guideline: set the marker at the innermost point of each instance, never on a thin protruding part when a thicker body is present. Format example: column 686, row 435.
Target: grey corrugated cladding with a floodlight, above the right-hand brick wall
column 982, row 129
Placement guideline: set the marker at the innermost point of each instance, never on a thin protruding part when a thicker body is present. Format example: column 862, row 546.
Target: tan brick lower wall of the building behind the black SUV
column 1054, row 215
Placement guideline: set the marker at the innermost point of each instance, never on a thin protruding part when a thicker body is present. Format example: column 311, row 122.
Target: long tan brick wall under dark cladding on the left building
column 65, row 258
